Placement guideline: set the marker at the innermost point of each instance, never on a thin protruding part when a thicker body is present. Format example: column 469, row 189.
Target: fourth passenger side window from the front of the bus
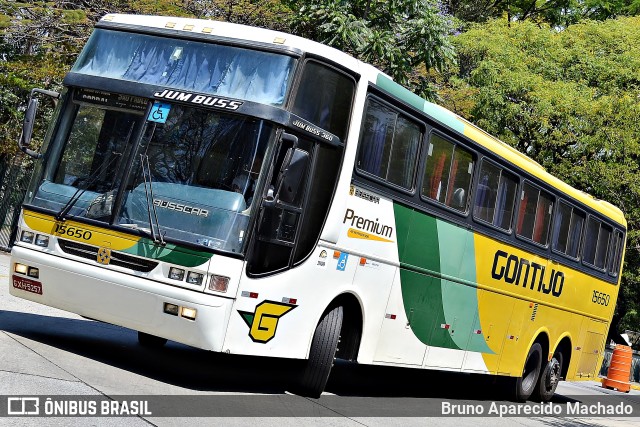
column 534, row 216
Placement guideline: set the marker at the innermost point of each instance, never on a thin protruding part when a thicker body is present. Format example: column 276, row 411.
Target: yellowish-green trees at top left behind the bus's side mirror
column 39, row 42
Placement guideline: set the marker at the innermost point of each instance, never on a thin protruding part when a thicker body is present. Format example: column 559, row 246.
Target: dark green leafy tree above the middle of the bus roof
column 404, row 38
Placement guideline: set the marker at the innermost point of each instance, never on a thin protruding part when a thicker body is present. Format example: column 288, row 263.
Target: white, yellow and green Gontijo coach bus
column 251, row 192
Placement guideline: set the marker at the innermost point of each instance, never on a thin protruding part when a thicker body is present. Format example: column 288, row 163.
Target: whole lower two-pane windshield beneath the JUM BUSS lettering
column 196, row 173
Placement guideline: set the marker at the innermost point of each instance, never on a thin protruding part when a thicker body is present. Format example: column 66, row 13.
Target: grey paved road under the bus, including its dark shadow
column 48, row 352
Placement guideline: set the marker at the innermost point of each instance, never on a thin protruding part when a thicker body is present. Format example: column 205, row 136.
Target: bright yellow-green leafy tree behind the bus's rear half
column 569, row 99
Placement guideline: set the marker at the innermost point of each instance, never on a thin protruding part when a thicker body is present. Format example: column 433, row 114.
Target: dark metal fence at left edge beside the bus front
column 15, row 172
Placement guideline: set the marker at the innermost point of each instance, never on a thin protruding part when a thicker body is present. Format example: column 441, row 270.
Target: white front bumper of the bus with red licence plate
column 121, row 299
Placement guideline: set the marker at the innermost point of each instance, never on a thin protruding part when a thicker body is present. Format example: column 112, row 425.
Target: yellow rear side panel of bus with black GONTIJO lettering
column 547, row 298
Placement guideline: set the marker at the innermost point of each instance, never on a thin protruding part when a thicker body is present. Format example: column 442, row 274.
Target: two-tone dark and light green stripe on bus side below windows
column 436, row 307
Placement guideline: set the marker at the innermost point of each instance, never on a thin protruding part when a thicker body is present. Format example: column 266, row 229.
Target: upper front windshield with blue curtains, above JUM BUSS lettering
column 229, row 71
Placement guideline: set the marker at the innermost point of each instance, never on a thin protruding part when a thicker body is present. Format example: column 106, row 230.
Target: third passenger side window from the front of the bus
column 495, row 196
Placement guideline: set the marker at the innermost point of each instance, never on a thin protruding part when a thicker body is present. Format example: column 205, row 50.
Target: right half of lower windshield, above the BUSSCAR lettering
column 202, row 168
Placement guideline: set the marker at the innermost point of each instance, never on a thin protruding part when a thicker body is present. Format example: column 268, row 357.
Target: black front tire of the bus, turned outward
column 321, row 356
